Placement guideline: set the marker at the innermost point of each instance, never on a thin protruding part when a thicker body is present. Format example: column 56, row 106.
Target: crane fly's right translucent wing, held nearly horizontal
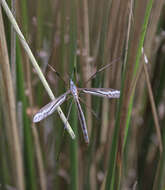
column 103, row 92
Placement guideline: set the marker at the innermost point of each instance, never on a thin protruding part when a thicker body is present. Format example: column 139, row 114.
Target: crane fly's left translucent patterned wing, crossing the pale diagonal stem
column 49, row 108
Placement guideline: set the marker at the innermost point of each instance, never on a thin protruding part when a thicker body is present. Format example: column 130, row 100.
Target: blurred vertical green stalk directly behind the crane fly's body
column 73, row 144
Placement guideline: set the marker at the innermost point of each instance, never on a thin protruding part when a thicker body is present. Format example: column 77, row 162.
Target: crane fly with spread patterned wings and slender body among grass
column 52, row 106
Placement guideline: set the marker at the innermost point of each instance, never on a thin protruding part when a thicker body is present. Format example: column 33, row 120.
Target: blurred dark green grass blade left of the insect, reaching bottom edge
column 28, row 143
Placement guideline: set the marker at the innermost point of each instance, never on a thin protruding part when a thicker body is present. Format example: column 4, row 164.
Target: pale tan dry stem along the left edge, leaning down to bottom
column 7, row 79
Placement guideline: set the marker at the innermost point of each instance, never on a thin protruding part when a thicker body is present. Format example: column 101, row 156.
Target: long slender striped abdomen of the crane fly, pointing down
column 82, row 121
